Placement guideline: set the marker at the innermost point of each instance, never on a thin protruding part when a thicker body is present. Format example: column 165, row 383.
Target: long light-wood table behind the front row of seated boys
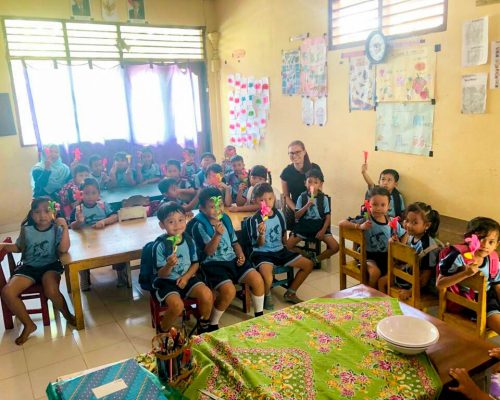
column 117, row 243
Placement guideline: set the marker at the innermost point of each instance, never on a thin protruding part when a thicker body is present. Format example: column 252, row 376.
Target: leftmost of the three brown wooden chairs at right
column 355, row 268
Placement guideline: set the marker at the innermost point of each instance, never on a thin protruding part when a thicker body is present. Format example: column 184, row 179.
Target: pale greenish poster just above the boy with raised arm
column 405, row 128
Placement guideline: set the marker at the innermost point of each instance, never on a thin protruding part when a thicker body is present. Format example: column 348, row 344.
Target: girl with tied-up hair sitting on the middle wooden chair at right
column 422, row 224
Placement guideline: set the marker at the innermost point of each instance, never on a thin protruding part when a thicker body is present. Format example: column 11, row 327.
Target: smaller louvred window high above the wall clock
column 351, row 21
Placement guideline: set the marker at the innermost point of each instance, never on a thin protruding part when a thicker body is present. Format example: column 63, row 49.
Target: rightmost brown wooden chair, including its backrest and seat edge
column 476, row 282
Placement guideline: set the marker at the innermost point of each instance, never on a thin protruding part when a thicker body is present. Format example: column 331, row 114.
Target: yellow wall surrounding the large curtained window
column 16, row 161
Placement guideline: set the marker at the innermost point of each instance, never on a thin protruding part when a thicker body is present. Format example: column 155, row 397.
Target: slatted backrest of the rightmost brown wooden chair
column 477, row 283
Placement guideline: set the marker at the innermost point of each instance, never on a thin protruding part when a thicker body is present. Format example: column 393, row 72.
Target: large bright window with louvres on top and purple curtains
column 93, row 82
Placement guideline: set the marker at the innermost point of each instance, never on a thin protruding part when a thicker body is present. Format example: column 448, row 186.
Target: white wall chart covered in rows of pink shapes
column 249, row 104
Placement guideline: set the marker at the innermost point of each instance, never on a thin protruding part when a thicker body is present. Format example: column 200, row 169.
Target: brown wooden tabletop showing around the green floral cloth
column 455, row 348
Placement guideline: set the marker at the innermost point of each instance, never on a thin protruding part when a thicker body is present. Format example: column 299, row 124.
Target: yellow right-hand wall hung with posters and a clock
column 461, row 180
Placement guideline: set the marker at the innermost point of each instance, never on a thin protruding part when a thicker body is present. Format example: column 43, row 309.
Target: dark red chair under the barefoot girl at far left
column 33, row 292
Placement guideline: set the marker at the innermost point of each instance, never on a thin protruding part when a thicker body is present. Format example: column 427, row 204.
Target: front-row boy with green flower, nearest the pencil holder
column 177, row 264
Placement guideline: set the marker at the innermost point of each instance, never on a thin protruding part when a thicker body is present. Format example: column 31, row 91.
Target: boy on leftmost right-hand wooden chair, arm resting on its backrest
column 377, row 233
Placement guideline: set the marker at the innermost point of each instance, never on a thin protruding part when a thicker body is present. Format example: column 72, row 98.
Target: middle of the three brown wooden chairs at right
column 400, row 254
